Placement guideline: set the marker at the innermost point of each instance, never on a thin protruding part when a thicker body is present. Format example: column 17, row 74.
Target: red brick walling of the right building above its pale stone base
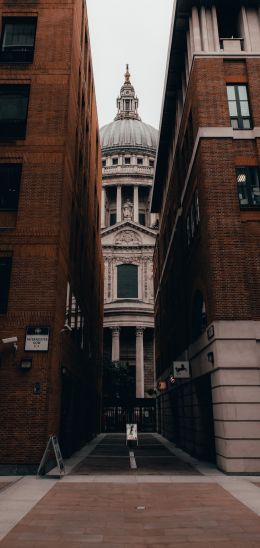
column 223, row 261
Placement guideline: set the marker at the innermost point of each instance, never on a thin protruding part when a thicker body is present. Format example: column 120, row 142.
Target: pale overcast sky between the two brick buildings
column 134, row 32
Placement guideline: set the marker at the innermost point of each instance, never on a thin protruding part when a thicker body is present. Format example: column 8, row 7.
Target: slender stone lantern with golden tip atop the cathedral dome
column 127, row 103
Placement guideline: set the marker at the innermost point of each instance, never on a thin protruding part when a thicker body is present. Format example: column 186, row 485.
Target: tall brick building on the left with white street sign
column 51, row 273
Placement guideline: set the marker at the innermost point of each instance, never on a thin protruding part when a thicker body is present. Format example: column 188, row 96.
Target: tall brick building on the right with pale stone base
column 207, row 190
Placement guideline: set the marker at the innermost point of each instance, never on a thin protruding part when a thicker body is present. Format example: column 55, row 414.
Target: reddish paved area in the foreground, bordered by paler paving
column 140, row 515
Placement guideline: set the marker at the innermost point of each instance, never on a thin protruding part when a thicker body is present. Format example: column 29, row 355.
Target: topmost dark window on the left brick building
column 17, row 40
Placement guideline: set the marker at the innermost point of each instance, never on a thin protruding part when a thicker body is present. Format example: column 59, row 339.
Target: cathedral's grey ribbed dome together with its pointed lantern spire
column 127, row 131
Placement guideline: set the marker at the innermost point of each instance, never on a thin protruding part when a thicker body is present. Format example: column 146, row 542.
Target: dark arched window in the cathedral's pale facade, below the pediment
column 127, row 281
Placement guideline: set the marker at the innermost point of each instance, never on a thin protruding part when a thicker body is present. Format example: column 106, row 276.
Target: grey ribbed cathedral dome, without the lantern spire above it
column 128, row 133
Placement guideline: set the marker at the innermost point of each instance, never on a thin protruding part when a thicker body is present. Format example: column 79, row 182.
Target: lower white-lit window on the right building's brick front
column 248, row 186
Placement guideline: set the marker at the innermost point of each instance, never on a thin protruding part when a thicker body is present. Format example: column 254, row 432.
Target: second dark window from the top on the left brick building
column 14, row 100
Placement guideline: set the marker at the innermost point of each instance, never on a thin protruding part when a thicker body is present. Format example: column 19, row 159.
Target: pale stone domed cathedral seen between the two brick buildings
column 128, row 233
